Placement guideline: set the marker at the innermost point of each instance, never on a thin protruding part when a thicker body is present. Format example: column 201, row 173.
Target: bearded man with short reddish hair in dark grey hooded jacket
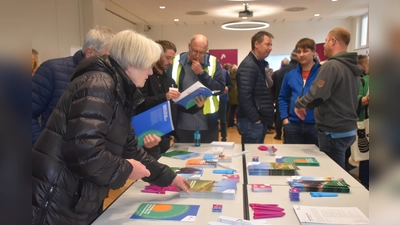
column 334, row 95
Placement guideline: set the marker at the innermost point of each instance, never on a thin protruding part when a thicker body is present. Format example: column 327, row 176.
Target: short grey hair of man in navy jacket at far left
column 97, row 38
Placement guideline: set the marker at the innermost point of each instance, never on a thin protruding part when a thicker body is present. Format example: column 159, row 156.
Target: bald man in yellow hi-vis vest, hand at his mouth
column 188, row 68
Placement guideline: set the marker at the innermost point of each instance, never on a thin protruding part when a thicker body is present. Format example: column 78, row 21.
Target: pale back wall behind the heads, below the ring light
column 286, row 35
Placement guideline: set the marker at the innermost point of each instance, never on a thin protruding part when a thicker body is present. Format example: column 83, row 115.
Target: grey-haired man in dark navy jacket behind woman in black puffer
column 53, row 76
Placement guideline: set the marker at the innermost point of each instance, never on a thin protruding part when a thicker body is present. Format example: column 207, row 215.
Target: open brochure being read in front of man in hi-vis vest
column 187, row 96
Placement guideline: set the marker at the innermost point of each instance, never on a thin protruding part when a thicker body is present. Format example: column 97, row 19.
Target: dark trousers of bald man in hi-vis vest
column 207, row 136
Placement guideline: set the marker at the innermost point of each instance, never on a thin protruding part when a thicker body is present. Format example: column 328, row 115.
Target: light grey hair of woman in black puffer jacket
column 129, row 48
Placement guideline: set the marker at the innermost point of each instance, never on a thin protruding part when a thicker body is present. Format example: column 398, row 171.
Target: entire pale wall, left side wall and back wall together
column 64, row 25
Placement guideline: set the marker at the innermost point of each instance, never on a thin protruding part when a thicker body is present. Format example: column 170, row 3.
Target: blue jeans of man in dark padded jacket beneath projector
column 251, row 133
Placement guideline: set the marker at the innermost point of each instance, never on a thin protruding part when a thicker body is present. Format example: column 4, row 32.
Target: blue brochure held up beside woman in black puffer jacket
column 157, row 120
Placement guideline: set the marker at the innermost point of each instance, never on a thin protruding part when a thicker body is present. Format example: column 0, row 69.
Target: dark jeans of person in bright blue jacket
column 300, row 133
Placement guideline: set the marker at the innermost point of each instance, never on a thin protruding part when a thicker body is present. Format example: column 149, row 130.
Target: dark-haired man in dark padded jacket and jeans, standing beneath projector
column 255, row 110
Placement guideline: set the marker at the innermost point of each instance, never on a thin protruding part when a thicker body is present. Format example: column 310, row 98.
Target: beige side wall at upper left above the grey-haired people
column 60, row 24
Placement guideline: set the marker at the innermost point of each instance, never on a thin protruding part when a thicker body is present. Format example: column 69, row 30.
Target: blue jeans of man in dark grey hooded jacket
column 335, row 148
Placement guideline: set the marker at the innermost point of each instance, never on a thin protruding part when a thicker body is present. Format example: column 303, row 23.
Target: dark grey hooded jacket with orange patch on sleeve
column 334, row 94
